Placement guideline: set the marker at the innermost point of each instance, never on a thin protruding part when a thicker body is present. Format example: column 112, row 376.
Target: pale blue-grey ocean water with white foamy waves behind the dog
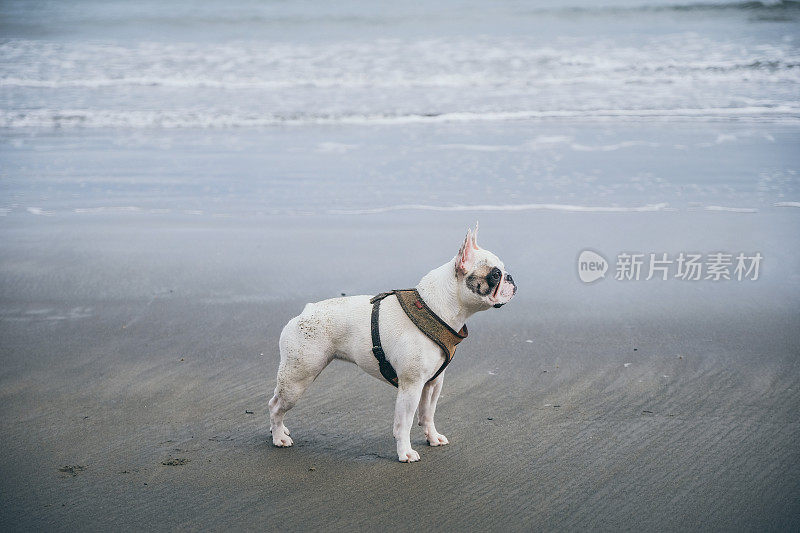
column 246, row 107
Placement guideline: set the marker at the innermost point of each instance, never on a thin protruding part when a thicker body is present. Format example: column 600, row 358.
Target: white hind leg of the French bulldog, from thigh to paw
column 302, row 360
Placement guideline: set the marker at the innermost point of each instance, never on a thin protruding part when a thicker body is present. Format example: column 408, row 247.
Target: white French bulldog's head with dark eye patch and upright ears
column 482, row 278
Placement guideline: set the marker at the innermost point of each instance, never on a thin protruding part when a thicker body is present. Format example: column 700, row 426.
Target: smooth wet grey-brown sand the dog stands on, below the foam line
column 139, row 355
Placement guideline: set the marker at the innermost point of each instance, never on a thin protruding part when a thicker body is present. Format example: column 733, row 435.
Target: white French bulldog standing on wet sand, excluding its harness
column 339, row 328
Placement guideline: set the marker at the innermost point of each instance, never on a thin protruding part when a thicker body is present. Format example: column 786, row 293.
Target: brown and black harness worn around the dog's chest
column 428, row 323
